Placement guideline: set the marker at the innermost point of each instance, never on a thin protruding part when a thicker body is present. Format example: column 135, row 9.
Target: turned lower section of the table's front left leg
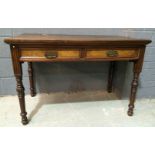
column 21, row 96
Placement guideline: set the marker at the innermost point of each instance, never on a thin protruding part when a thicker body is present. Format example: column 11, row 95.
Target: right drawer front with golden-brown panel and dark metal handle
column 106, row 54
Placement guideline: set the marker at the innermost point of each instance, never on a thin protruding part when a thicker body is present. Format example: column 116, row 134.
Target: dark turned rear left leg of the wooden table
column 31, row 79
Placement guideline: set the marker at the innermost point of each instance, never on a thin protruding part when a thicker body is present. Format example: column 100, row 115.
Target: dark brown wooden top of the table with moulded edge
column 72, row 39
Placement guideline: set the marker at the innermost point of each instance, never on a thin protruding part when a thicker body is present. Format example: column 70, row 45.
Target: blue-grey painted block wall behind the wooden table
column 70, row 77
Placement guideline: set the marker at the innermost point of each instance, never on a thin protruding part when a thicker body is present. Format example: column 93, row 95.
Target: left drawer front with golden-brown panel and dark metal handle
column 43, row 54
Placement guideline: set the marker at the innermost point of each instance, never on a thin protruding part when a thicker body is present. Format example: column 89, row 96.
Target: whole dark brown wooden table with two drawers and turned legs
column 55, row 48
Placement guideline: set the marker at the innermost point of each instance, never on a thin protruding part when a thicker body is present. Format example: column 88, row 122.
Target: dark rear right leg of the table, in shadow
column 110, row 76
